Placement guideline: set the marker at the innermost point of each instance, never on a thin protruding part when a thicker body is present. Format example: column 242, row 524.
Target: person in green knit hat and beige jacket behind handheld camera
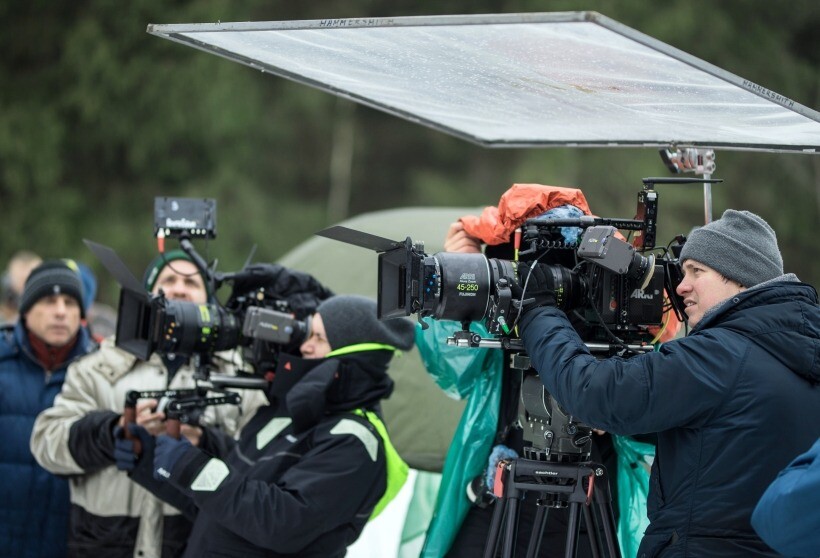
column 110, row 515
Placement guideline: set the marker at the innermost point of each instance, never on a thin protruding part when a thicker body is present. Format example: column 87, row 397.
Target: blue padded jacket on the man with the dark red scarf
column 34, row 503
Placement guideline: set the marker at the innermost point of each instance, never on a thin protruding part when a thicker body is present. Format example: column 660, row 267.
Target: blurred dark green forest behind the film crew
column 97, row 118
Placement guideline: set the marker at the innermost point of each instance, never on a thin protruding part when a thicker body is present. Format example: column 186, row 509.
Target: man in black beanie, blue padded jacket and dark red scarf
column 34, row 356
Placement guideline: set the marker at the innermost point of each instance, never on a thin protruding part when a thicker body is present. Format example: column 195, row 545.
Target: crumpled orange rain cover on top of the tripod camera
column 519, row 203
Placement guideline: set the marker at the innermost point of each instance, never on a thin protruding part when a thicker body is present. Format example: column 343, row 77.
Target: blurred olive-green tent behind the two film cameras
column 420, row 417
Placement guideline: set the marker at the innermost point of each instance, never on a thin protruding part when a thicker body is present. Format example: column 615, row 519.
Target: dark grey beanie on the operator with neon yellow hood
column 351, row 319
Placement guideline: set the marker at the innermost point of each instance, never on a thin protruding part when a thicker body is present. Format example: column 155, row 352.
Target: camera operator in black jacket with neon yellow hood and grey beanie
column 310, row 469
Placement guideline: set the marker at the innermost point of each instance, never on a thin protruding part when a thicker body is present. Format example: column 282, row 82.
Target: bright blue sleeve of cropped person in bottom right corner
column 788, row 516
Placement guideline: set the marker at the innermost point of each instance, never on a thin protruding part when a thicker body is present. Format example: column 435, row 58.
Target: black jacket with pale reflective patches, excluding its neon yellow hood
column 305, row 475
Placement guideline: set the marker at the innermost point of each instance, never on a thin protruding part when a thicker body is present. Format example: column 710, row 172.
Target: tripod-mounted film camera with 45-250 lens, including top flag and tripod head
column 617, row 293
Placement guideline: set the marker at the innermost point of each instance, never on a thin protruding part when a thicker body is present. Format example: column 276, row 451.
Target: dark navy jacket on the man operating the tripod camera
column 732, row 404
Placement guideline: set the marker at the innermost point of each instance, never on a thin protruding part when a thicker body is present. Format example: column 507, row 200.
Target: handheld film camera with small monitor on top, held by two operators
column 265, row 314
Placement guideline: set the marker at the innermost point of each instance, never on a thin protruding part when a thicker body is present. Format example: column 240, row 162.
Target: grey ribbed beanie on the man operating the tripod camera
column 740, row 245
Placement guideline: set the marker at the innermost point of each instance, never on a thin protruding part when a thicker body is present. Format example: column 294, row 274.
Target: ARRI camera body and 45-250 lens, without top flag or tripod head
column 614, row 288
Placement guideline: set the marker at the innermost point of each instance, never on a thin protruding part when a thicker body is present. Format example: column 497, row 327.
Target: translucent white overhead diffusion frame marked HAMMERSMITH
column 520, row 80
